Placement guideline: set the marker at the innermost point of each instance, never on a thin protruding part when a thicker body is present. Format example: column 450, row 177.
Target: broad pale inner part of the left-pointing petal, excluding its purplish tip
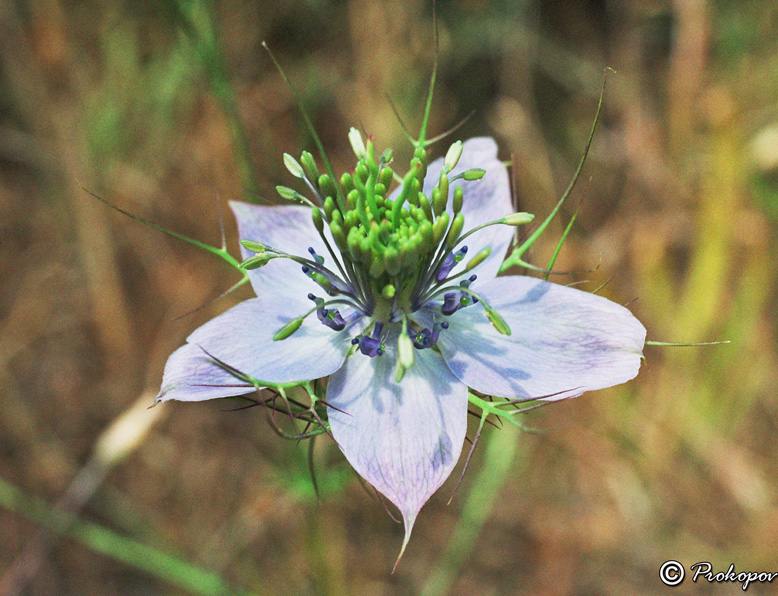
column 242, row 338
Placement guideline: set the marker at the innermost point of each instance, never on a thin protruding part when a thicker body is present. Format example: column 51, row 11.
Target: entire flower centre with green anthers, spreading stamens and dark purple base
column 393, row 255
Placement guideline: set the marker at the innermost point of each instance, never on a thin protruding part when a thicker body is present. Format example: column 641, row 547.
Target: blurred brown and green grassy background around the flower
column 162, row 106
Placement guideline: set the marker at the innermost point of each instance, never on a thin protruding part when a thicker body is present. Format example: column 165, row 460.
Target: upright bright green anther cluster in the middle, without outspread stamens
column 390, row 247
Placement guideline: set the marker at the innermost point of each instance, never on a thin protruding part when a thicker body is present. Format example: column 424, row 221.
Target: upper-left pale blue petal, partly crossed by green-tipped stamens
column 287, row 228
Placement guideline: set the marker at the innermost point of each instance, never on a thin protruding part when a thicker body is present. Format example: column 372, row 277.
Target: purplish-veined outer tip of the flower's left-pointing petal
column 191, row 375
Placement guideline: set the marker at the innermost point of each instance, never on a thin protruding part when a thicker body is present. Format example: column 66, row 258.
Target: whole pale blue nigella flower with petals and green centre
column 395, row 297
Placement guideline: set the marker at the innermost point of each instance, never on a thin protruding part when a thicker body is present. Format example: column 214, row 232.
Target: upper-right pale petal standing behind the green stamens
column 485, row 200
